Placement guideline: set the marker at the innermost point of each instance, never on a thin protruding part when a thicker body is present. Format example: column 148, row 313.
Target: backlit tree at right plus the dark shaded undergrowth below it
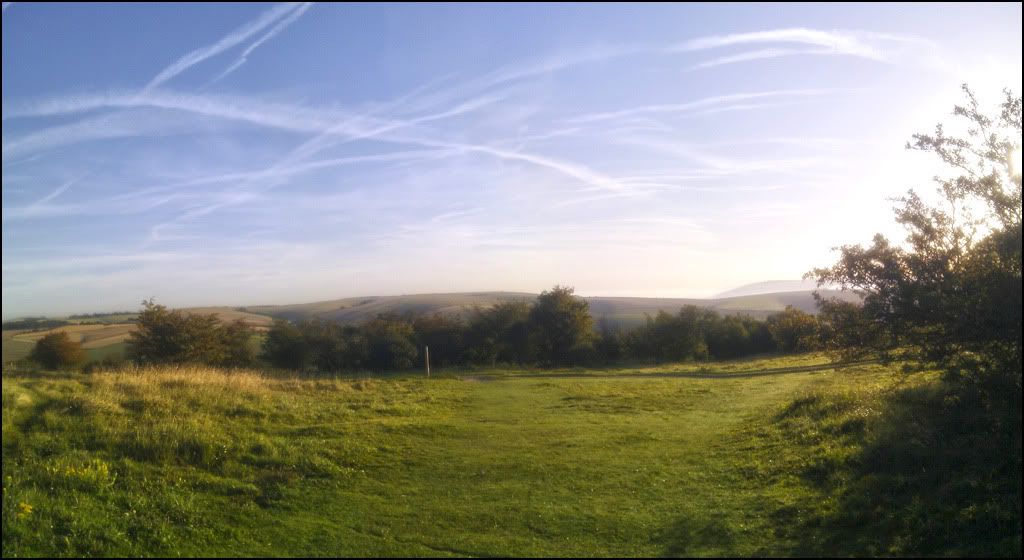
column 943, row 473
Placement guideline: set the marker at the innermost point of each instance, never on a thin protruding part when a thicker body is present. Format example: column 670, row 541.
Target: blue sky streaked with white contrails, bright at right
column 260, row 154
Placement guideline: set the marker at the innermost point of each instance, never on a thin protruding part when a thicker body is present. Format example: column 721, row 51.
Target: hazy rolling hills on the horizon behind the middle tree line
column 619, row 311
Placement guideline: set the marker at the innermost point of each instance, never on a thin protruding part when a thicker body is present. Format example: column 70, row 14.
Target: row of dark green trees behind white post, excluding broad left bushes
column 557, row 330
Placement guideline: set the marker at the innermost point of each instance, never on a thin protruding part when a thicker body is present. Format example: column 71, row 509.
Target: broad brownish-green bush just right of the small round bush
column 175, row 337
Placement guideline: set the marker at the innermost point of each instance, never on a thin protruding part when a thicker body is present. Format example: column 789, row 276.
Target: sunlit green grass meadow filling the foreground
column 199, row 462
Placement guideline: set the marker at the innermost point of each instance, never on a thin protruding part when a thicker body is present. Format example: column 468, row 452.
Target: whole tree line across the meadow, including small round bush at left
column 557, row 330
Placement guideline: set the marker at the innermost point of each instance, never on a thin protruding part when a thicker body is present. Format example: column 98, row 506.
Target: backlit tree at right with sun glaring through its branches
column 952, row 294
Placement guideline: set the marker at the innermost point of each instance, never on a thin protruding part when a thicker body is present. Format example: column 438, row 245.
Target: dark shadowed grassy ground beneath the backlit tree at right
column 940, row 476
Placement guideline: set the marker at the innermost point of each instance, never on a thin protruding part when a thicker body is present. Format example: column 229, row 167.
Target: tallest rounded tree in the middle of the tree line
column 561, row 328
